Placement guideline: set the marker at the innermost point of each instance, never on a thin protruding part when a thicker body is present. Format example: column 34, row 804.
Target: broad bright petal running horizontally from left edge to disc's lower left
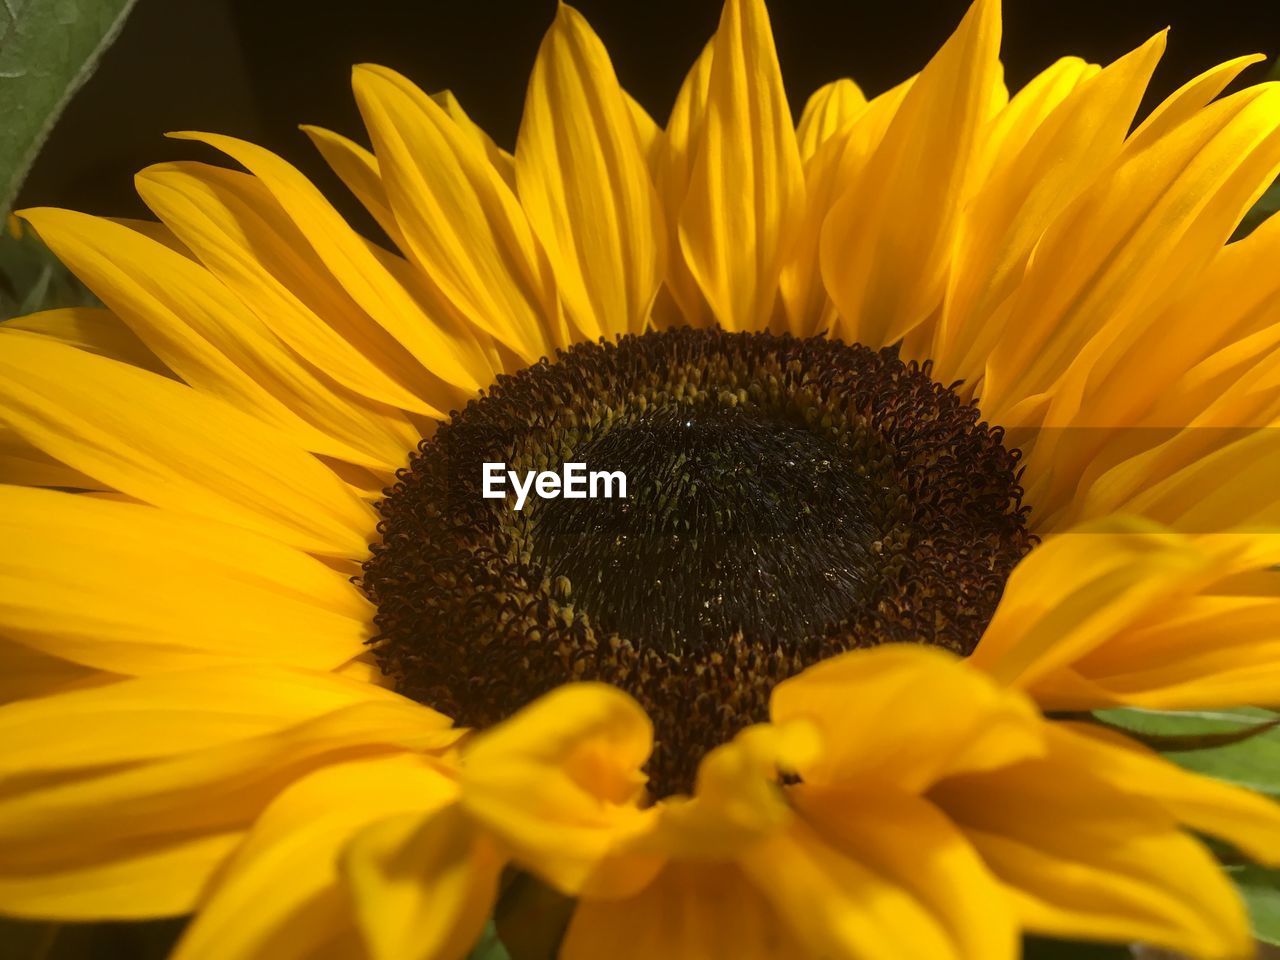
column 220, row 595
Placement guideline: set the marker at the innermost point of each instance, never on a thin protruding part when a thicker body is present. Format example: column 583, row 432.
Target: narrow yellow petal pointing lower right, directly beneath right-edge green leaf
column 1247, row 821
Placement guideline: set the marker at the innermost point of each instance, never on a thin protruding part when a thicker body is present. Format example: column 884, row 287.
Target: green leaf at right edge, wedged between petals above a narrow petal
column 1252, row 762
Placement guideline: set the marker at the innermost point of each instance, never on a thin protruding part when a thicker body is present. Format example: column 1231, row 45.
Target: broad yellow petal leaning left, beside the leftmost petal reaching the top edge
column 461, row 223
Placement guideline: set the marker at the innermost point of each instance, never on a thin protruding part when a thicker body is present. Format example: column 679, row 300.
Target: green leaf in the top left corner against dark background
column 48, row 48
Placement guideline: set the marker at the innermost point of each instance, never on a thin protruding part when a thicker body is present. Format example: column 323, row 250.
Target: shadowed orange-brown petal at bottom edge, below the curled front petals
column 692, row 912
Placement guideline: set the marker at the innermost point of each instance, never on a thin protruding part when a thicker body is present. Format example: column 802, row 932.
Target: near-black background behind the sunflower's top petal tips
column 258, row 68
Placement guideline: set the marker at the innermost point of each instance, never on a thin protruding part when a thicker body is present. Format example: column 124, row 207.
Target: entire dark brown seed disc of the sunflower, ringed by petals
column 785, row 501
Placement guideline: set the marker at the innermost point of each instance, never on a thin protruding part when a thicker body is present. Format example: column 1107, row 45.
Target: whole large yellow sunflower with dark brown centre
column 945, row 418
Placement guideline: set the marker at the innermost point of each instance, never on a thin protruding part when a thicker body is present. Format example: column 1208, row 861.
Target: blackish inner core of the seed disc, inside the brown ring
column 734, row 523
